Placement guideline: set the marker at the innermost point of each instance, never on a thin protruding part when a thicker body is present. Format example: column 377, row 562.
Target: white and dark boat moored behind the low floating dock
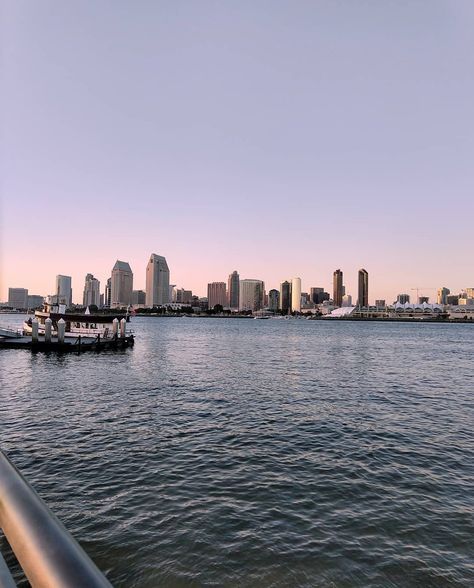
column 77, row 324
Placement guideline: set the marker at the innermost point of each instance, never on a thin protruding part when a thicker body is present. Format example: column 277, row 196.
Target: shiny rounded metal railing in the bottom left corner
column 47, row 553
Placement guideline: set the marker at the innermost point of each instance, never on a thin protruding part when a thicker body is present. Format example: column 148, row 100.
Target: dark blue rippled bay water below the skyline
column 233, row 452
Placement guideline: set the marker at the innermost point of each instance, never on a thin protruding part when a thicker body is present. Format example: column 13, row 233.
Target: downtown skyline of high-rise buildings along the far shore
column 234, row 295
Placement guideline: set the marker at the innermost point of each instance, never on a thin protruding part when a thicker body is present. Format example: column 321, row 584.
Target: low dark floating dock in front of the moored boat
column 70, row 344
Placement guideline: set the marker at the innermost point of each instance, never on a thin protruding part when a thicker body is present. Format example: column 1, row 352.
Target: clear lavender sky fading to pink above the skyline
column 276, row 138
